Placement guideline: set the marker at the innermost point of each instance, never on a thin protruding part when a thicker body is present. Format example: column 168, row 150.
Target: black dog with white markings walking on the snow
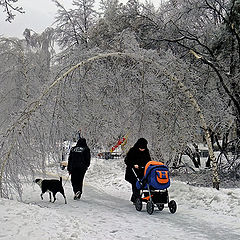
column 51, row 185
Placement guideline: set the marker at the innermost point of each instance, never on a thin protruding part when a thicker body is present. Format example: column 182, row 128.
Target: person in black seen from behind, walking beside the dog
column 78, row 163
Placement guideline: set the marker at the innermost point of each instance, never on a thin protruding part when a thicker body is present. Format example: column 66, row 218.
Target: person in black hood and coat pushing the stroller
column 137, row 157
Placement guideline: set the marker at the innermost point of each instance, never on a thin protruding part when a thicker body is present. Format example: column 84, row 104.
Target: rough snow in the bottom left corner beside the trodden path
column 21, row 221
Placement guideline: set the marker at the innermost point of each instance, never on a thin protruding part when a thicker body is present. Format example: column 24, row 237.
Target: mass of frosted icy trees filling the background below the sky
column 168, row 74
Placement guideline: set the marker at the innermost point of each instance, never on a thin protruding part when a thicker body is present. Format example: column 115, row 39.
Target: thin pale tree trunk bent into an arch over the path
column 33, row 106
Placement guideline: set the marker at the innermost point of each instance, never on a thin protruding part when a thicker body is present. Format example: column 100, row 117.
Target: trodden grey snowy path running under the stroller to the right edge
column 117, row 218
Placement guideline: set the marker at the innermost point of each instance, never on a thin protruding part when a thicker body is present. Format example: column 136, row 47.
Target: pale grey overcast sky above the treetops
column 39, row 14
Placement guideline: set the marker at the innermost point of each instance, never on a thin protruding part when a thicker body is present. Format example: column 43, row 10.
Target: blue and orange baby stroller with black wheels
column 153, row 188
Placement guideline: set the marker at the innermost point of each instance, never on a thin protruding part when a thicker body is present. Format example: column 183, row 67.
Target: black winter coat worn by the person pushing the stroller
column 136, row 157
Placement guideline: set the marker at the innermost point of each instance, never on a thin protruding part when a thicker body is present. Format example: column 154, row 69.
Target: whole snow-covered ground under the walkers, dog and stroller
column 104, row 211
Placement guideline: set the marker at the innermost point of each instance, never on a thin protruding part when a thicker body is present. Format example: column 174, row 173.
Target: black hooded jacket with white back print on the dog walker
column 79, row 157
